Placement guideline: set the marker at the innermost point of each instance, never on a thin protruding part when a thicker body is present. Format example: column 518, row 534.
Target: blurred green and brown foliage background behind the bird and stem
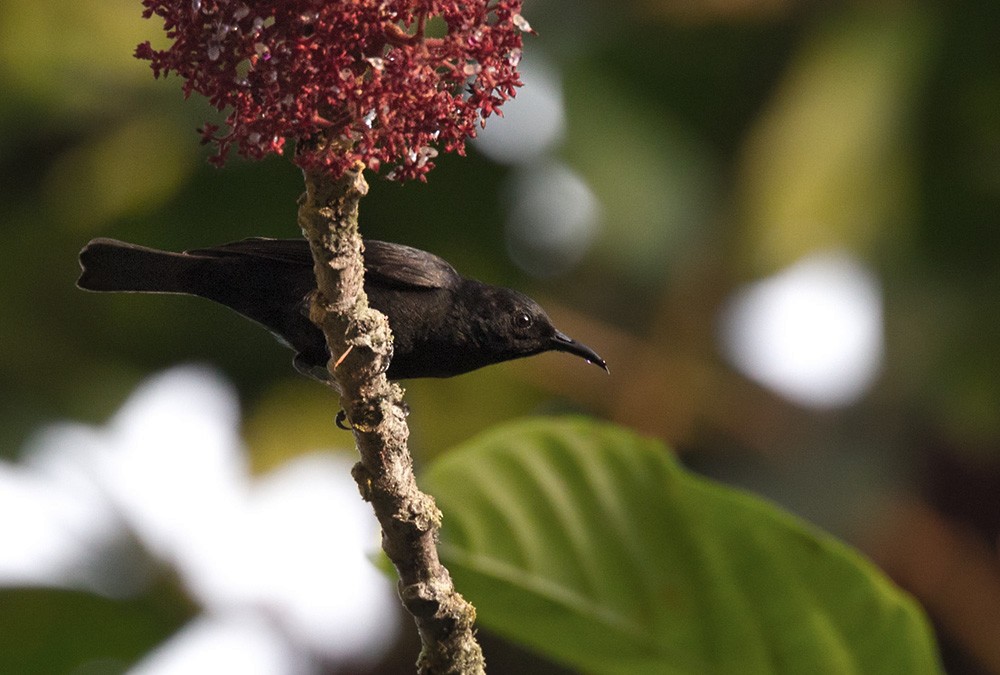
column 684, row 151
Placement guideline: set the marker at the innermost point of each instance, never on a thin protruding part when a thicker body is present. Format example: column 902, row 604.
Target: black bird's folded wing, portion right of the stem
column 406, row 267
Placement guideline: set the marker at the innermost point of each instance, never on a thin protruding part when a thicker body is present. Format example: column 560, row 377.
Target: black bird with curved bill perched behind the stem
column 443, row 324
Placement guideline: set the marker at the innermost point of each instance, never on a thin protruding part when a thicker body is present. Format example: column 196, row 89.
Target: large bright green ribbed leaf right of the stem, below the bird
column 594, row 547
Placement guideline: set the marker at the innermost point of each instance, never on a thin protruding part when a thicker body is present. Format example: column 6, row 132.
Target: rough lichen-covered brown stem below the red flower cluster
column 360, row 343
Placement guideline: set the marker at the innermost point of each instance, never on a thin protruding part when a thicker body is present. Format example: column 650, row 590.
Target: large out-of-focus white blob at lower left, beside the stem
column 278, row 564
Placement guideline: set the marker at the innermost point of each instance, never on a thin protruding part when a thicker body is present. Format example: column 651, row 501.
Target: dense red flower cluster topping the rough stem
column 385, row 81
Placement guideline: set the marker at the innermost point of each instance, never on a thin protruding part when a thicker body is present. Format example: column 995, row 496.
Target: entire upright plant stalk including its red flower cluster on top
column 353, row 86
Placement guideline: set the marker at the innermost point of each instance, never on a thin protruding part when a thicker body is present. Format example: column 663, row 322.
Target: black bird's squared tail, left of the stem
column 112, row 265
